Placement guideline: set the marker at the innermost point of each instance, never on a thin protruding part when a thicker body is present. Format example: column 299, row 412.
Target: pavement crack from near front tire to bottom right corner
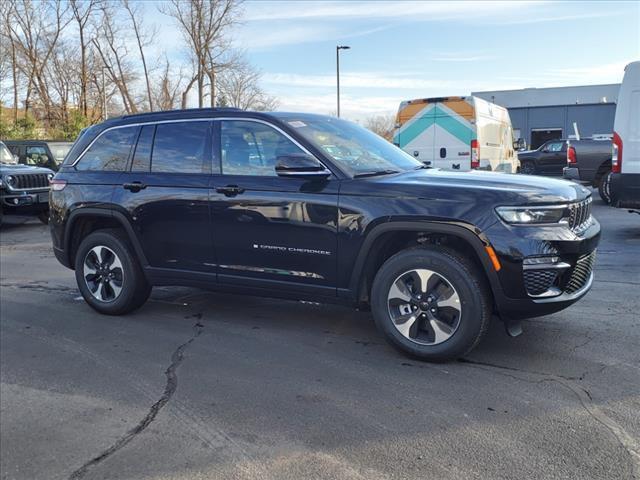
column 630, row 444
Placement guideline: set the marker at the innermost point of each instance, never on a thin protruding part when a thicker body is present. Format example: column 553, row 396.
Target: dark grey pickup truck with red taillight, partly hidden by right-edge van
column 589, row 162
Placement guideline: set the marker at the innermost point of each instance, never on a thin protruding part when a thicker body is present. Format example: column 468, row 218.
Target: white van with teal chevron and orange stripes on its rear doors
column 457, row 133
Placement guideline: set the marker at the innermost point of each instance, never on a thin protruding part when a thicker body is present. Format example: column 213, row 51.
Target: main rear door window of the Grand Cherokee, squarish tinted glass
column 180, row 148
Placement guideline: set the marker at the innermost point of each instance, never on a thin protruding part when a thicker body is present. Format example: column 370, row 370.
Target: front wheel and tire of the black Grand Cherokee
column 466, row 318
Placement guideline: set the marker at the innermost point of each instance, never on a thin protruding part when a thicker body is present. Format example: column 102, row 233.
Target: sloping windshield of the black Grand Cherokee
column 354, row 148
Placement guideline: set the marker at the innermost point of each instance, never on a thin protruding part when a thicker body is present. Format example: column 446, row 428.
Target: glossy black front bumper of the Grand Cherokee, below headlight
column 544, row 268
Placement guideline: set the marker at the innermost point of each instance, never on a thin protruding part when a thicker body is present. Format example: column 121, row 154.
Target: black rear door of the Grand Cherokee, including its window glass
column 165, row 196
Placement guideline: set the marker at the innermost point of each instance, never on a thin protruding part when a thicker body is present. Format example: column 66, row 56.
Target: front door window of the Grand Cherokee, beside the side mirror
column 252, row 148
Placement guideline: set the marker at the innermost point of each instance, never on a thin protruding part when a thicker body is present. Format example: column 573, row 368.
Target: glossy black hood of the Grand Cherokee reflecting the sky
column 490, row 188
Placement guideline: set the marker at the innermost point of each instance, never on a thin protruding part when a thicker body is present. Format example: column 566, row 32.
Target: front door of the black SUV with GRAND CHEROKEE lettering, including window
column 271, row 231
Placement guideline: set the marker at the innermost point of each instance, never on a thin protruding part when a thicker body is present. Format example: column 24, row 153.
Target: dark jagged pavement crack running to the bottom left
column 170, row 387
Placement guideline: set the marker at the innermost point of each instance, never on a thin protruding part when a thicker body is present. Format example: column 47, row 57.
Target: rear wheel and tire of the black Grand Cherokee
column 126, row 287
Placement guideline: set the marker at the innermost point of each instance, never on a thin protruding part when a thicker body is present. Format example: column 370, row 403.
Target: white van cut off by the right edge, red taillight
column 625, row 153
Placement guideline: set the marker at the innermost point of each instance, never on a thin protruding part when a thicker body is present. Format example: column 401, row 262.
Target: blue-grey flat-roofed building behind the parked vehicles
column 541, row 114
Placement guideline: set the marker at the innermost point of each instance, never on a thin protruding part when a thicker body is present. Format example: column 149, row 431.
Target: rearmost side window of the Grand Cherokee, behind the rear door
column 110, row 151
